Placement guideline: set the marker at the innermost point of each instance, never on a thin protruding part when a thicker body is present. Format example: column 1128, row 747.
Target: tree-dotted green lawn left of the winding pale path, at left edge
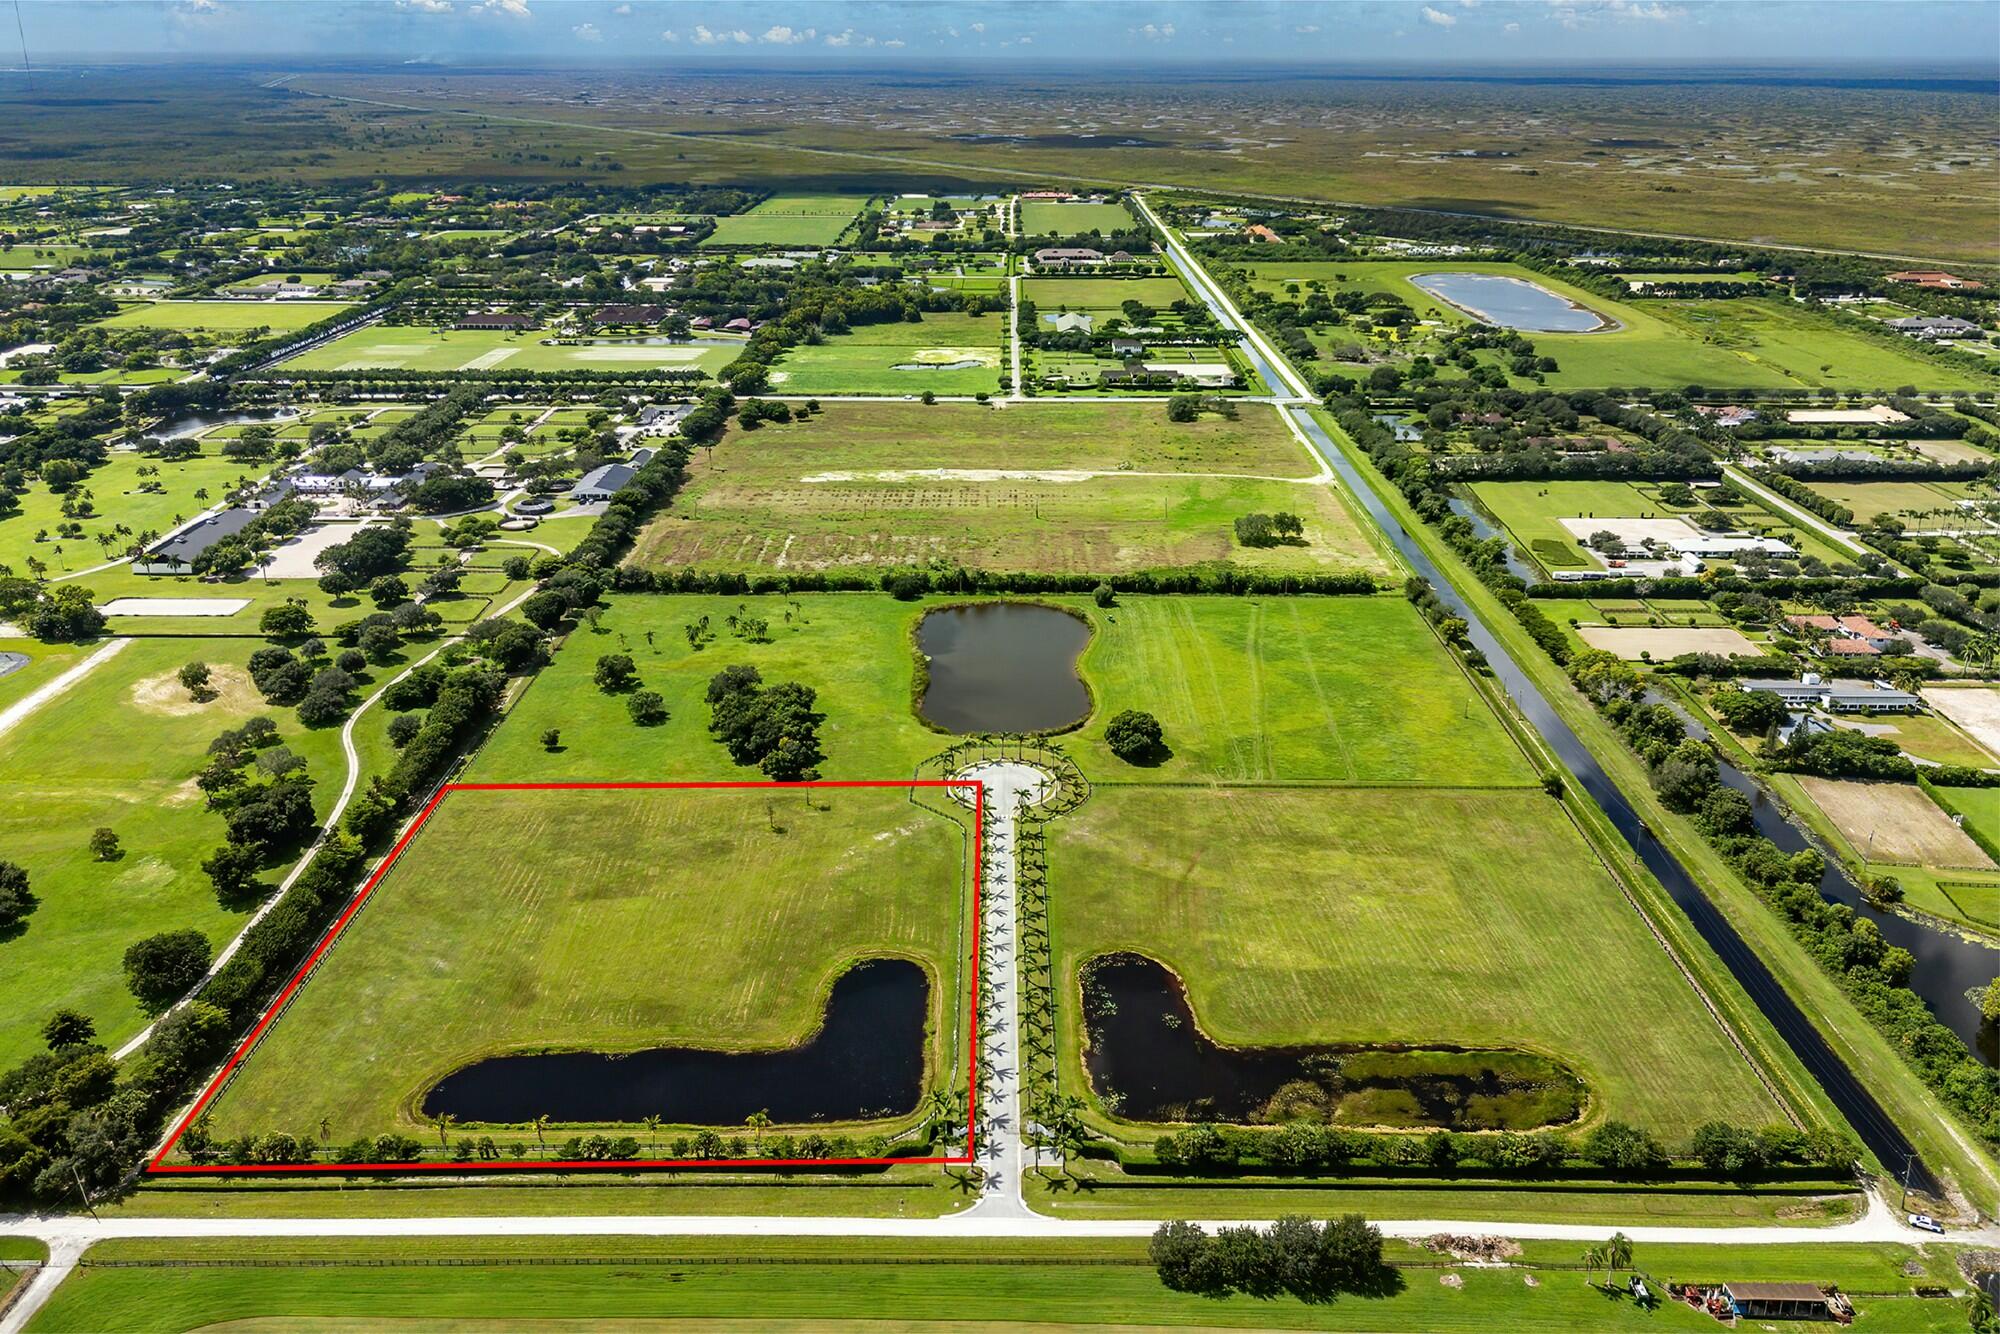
column 59, row 781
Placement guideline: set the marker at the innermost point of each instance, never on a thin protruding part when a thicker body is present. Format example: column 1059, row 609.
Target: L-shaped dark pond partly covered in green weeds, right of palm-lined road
column 1147, row 1059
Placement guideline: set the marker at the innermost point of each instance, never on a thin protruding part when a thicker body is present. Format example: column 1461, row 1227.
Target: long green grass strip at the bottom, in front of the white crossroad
column 799, row 1285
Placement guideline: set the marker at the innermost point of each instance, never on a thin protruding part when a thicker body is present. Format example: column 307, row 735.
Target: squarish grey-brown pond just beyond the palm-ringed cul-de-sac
column 1003, row 667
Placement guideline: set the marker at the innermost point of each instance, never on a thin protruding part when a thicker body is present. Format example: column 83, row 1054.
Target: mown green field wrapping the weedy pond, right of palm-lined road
column 1449, row 917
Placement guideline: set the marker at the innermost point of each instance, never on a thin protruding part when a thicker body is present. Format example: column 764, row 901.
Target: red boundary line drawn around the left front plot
column 159, row 1167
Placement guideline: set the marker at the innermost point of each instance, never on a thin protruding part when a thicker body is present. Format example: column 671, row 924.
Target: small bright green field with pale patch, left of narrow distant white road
column 941, row 353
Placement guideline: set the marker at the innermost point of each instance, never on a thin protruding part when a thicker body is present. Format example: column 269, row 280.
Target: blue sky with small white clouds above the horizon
column 835, row 35
